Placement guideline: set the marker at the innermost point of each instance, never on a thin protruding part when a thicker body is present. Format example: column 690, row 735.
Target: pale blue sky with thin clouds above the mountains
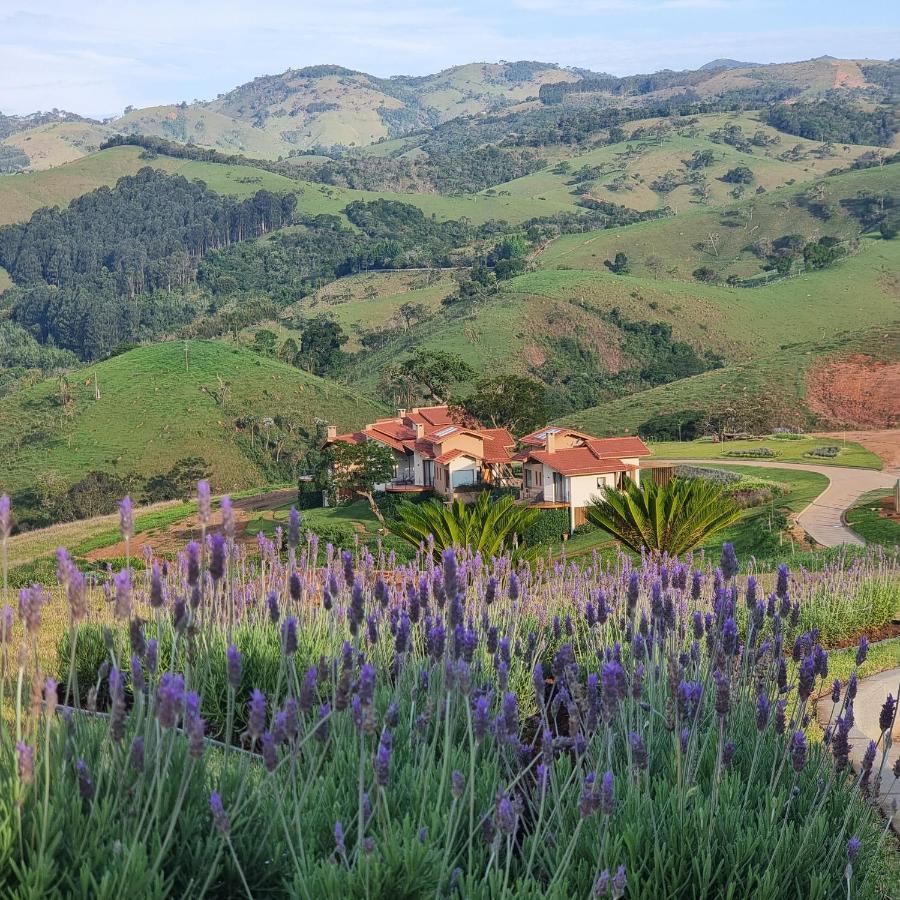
column 95, row 57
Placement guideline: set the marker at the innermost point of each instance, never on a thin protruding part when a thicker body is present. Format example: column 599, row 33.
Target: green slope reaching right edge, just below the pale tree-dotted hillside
column 676, row 246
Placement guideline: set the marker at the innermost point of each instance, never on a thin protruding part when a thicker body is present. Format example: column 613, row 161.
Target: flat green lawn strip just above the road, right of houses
column 851, row 454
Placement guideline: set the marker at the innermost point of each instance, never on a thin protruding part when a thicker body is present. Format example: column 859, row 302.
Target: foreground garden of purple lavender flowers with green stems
column 303, row 720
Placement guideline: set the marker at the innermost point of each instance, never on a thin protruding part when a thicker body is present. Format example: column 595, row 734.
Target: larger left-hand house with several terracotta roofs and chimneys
column 432, row 452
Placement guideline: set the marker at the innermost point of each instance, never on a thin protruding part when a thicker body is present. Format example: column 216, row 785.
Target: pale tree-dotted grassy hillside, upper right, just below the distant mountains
column 626, row 171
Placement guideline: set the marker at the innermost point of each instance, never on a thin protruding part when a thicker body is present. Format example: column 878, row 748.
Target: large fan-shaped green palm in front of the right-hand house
column 672, row 518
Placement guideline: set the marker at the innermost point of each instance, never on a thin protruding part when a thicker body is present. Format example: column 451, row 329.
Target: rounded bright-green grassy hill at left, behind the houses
column 153, row 411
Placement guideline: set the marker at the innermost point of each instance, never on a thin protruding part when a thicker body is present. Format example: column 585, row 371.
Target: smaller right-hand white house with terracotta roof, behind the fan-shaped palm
column 564, row 468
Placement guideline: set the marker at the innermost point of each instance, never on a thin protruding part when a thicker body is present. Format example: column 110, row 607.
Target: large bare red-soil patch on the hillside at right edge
column 857, row 390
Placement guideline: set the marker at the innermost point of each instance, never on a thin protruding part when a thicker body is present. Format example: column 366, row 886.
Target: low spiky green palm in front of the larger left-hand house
column 487, row 526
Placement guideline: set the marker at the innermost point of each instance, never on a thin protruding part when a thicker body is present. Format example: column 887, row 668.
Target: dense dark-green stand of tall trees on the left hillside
column 109, row 268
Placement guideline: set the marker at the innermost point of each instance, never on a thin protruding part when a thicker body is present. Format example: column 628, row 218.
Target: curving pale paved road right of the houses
column 821, row 520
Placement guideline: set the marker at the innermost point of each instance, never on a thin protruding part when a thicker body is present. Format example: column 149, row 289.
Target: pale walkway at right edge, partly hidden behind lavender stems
column 870, row 697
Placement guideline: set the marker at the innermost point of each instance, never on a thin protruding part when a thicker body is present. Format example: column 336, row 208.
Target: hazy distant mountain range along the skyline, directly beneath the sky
column 275, row 116
